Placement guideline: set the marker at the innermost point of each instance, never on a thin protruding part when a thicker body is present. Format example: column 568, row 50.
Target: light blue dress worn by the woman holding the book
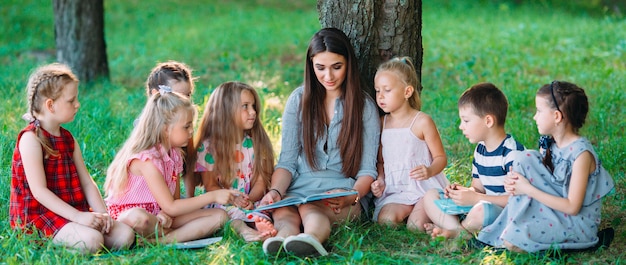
column 305, row 180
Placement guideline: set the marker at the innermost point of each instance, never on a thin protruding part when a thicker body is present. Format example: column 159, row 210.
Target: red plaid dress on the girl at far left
column 62, row 179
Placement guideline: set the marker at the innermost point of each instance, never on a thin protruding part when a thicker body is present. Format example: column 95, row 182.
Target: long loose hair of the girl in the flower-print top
column 218, row 126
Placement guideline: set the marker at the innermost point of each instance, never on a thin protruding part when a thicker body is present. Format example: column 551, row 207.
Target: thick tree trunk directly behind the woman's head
column 378, row 30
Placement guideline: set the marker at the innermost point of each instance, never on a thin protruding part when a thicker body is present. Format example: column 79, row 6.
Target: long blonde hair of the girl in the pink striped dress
column 161, row 111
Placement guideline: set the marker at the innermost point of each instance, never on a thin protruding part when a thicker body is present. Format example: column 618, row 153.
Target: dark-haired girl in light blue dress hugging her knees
column 557, row 192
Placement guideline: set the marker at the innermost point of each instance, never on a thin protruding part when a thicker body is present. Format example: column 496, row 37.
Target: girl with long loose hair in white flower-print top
column 235, row 152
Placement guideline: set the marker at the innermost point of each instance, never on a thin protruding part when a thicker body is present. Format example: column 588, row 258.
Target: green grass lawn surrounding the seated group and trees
column 517, row 47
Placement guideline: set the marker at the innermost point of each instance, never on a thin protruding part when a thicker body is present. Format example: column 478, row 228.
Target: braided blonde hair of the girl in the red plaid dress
column 46, row 82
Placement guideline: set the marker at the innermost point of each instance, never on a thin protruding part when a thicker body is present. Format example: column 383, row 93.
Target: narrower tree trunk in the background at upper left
column 79, row 34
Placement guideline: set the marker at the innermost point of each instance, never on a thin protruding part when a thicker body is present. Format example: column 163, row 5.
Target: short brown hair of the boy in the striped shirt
column 486, row 99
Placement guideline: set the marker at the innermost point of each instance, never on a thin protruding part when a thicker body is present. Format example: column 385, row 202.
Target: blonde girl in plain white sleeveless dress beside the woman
column 412, row 157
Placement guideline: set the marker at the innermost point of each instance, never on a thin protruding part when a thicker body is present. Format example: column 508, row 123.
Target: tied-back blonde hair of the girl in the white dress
column 404, row 68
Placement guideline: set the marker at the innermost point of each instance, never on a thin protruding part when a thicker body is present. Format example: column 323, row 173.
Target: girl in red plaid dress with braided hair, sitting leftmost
column 52, row 192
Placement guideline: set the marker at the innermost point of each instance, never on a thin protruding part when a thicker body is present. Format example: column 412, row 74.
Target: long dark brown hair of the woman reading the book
column 350, row 139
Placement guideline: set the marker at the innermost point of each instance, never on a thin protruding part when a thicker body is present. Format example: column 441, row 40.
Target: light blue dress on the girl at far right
column 531, row 225
